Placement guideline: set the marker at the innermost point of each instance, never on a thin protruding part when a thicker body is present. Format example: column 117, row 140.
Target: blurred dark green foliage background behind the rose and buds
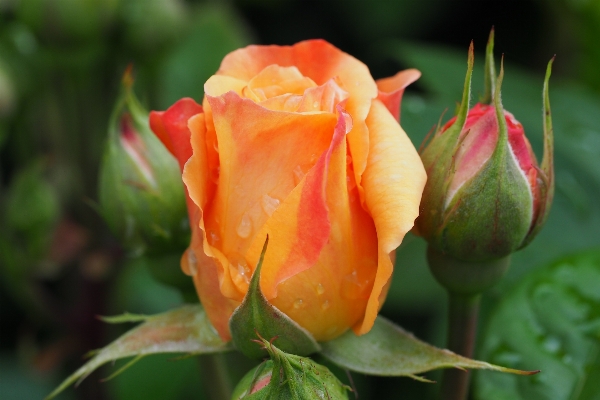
column 61, row 62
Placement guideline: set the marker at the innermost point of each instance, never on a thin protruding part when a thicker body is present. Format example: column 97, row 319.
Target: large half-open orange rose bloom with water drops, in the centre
column 300, row 143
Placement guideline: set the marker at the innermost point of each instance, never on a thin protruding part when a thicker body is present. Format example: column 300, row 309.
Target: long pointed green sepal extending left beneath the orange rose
column 183, row 330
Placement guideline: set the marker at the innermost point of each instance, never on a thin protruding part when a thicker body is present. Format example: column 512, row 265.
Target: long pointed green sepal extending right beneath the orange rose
column 388, row 350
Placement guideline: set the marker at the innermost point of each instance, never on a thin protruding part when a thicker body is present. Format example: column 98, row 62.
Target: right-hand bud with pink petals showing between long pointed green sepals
column 486, row 196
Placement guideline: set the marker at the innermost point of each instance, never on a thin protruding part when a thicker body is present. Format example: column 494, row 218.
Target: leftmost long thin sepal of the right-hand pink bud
column 438, row 160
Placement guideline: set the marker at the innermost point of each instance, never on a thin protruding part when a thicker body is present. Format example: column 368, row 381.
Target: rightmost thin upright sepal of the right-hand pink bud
column 546, row 171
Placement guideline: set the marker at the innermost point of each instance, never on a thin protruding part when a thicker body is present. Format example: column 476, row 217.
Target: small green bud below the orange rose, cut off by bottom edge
column 287, row 376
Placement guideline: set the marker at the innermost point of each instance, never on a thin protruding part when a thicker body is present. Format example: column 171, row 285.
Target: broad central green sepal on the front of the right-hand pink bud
column 490, row 215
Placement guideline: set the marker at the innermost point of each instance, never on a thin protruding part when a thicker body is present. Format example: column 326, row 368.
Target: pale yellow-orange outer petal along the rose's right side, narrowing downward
column 393, row 183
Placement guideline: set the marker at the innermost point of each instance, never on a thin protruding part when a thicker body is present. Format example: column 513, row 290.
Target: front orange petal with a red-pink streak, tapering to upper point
column 325, row 291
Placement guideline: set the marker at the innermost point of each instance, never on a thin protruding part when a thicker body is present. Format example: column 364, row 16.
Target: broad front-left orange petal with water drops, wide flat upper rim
column 260, row 153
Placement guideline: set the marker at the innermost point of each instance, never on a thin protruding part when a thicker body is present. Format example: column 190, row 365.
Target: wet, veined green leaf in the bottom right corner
column 551, row 321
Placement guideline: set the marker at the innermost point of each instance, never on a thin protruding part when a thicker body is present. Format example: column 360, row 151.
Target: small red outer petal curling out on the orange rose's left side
column 171, row 128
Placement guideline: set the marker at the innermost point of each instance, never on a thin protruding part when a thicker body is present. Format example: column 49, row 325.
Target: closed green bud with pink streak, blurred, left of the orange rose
column 141, row 194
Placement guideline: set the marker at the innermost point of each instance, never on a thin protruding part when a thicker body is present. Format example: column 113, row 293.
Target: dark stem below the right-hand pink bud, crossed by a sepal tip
column 462, row 332
